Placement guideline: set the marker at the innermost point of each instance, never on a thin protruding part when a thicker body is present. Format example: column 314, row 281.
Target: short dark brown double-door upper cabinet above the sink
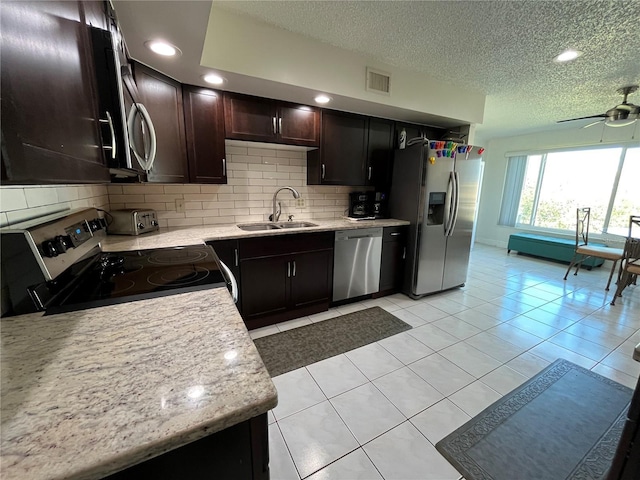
column 264, row 120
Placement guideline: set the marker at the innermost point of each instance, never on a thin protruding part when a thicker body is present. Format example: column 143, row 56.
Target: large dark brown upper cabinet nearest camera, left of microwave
column 50, row 124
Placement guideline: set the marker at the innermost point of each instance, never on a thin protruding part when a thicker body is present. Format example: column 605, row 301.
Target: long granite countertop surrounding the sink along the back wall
column 182, row 236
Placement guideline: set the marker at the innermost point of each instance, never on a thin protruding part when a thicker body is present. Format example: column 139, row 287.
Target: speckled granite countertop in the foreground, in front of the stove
column 88, row 393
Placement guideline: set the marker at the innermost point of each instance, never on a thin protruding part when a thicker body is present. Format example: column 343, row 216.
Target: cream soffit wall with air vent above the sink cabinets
column 273, row 54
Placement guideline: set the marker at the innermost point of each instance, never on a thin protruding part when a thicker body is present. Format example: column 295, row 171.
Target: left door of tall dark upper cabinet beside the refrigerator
column 340, row 160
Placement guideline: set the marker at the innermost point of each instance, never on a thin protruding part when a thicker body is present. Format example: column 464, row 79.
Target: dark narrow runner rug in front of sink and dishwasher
column 305, row 345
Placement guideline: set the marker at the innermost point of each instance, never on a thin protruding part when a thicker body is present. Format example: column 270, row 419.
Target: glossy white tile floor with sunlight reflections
column 377, row 412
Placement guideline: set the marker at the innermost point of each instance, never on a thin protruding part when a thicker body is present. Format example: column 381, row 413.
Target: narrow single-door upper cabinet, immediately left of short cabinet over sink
column 204, row 124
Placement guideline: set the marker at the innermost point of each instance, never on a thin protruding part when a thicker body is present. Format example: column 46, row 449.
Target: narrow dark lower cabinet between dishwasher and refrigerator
column 394, row 241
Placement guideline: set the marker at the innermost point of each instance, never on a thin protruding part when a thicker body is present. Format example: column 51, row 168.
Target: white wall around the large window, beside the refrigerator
column 487, row 230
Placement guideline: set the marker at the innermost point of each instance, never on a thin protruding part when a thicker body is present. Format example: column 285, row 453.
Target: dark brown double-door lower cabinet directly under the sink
column 285, row 277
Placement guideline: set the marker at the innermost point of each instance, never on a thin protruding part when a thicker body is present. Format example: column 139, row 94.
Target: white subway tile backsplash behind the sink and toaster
column 254, row 174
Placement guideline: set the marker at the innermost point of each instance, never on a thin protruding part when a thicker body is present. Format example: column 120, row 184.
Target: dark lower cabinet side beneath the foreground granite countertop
column 239, row 452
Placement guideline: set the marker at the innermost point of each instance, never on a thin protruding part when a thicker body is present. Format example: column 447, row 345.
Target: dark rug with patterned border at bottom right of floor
column 564, row 423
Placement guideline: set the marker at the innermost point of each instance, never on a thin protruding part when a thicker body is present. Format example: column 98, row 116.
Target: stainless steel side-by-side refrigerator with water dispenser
column 435, row 187
